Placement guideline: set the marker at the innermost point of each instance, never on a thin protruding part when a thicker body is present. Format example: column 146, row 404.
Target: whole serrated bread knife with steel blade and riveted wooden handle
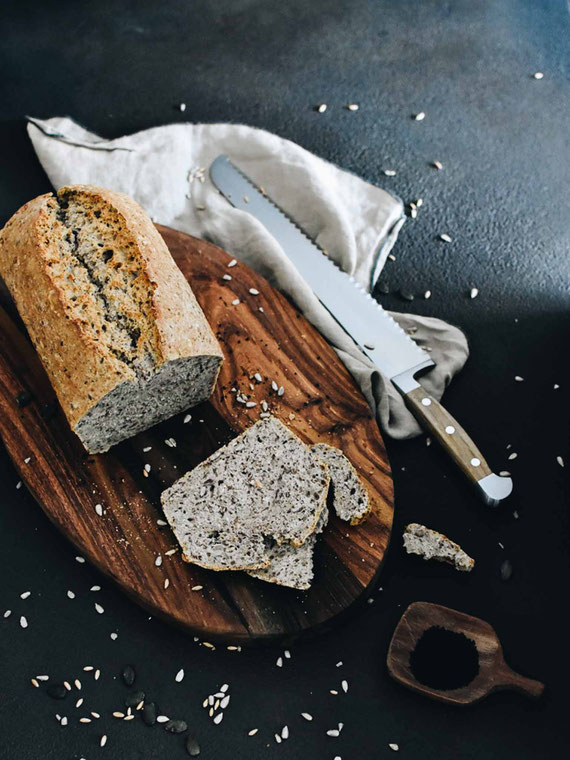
column 374, row 331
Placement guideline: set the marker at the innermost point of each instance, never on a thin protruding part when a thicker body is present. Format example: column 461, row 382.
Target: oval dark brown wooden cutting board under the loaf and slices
column 321, row 403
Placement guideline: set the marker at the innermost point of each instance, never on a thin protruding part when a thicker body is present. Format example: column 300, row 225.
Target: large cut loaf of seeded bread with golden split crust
column 117, row 327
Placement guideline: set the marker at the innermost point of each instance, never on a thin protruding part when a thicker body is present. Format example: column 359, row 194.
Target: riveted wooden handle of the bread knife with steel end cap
column 437, row 420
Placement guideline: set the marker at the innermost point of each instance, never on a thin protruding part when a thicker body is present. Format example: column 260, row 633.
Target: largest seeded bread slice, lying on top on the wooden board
column 266, row 483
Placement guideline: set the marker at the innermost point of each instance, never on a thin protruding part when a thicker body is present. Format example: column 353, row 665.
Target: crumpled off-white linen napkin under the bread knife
column 165, row 169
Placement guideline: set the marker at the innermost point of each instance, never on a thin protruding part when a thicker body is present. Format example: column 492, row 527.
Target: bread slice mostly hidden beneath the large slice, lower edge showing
column 291, row 566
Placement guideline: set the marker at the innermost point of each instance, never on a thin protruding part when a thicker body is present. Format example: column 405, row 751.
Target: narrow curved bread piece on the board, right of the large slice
column 349, row 497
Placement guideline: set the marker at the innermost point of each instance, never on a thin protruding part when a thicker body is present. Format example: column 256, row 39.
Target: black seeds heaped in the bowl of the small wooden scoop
column 444, row 659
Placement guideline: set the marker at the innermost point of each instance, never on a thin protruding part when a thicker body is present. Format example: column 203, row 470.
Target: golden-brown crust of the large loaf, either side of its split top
column 82, row 369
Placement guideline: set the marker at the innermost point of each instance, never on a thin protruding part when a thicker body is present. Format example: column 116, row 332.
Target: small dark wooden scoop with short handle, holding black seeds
column 494, row 674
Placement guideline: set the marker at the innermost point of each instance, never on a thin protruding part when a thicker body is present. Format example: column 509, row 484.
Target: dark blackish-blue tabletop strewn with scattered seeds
column 502, row 195
